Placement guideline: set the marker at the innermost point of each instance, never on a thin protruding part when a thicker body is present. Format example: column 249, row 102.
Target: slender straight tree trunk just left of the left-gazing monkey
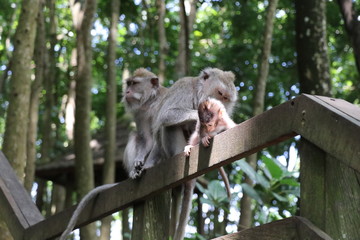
column 110, row 121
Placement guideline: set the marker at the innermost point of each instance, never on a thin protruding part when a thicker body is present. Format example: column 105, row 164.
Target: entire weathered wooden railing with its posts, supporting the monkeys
column 330, row 191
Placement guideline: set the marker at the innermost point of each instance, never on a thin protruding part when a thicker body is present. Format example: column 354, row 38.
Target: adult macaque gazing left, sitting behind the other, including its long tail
column 140, row 96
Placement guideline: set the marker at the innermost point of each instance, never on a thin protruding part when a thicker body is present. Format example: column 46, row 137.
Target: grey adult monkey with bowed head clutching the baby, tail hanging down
column 176, row 119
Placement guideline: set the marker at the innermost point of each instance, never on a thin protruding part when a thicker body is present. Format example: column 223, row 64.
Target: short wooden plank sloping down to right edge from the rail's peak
column 331, row 124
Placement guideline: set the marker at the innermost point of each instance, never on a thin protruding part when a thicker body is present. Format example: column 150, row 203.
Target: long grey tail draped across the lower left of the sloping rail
column 83, row 203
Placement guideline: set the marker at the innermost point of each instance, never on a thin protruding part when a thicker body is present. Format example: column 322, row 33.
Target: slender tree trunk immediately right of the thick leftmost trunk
column 39, row 58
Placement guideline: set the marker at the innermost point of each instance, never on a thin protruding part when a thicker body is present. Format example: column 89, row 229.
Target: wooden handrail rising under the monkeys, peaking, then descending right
column 331, row 124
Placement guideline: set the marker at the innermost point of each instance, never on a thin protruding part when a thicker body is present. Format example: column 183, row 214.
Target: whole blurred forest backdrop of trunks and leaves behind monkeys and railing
column 52, row 51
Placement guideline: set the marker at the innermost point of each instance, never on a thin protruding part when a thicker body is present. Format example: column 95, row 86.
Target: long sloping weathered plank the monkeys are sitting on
column 264, row 130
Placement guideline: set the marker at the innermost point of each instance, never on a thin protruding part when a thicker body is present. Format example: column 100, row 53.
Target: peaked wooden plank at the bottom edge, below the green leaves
column 294, row 228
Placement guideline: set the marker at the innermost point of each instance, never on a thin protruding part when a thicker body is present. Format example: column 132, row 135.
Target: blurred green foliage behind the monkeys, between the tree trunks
column 227, row 35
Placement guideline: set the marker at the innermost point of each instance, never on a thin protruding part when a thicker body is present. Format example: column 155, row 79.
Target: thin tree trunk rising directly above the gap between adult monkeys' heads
column 162, row 40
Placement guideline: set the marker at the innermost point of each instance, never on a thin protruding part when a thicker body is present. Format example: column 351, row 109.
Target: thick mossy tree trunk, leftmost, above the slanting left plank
column 15, row 136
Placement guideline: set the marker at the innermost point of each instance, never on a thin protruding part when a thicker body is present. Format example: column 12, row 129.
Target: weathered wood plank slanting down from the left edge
column 15, row 202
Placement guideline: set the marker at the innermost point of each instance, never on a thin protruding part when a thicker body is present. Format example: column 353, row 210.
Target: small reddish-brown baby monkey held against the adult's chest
column 213, row 119
